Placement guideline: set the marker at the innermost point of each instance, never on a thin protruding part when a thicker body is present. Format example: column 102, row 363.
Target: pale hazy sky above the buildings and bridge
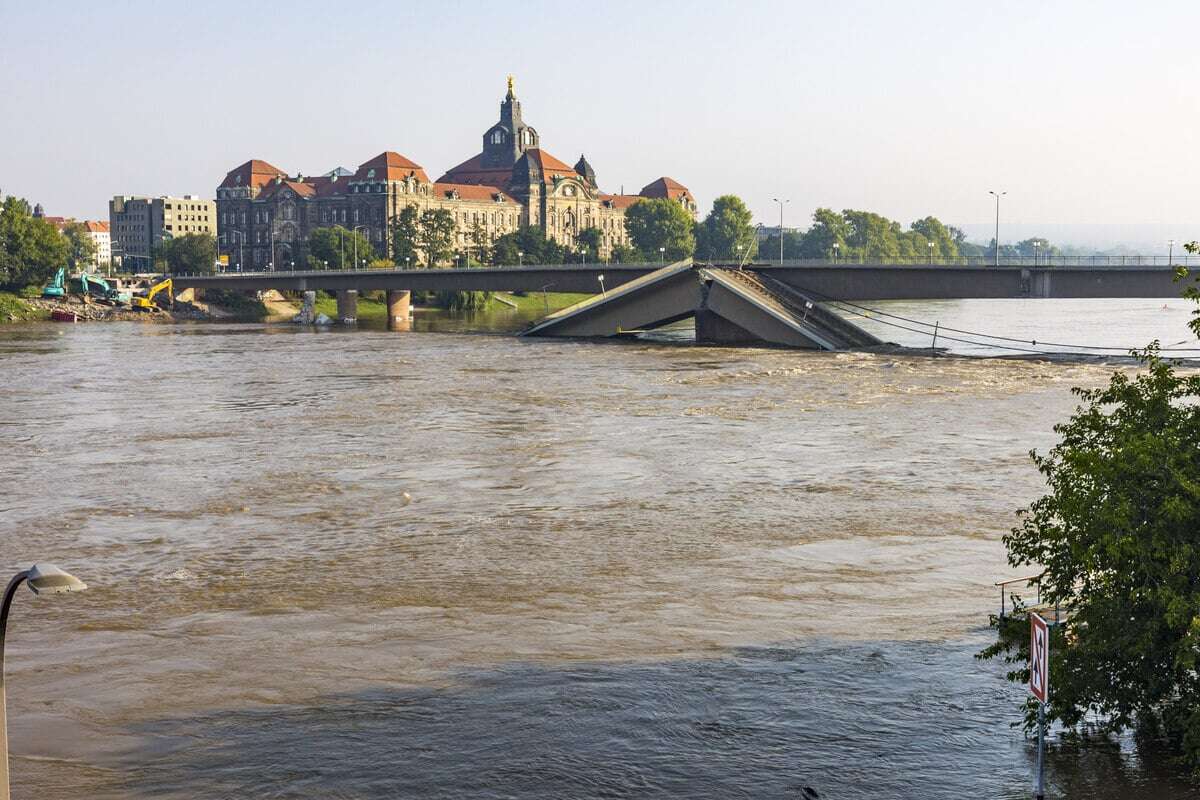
column 1084, row 111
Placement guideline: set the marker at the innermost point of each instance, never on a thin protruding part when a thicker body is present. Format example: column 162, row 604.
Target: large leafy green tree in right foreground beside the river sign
column 1119, row 539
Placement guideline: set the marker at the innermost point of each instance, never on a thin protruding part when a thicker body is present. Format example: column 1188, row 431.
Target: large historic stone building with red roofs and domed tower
column 266, row 216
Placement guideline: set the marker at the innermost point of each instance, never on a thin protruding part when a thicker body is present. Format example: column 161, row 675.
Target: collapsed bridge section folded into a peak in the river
column 730, row 306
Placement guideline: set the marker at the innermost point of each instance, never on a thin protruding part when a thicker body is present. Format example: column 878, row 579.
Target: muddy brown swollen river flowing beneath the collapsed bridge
column 448, row 564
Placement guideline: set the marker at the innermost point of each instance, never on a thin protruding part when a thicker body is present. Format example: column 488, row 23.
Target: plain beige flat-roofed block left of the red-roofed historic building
column 137, row 225
